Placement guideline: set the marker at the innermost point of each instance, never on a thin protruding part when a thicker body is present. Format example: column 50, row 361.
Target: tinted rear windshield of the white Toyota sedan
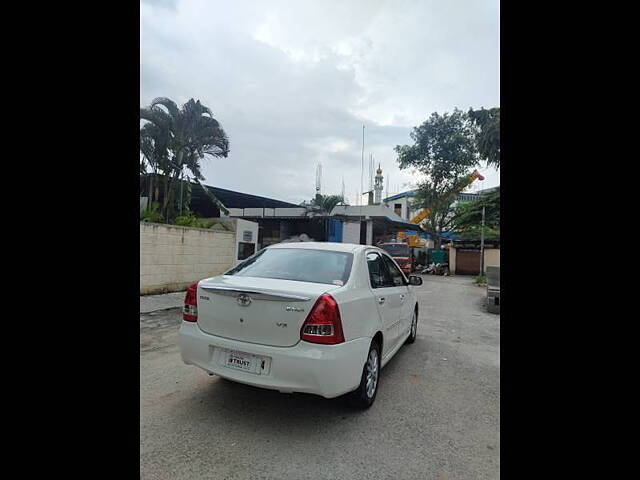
column 302, row 265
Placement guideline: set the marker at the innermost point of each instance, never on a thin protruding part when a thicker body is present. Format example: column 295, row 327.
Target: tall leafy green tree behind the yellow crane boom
column 444, row 151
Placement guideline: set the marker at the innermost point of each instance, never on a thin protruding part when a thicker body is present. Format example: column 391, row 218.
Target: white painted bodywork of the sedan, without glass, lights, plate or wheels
column 294, row 365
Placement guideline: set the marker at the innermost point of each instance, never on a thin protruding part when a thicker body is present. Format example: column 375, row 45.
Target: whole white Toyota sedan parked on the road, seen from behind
column 311, row 317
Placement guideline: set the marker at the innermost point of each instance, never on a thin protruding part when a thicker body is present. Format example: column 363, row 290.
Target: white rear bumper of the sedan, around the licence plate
column 326, row 370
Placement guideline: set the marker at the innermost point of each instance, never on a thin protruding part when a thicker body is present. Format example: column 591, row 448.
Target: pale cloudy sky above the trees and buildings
column 293, row 82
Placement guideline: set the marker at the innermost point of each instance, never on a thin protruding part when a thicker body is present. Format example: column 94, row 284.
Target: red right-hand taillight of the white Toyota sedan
column 323, row 325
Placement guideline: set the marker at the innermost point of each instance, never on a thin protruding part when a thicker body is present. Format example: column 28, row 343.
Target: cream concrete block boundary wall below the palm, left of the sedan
column 172, row 257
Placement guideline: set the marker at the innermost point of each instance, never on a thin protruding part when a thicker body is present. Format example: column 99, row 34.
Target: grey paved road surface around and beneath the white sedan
column 437, row 414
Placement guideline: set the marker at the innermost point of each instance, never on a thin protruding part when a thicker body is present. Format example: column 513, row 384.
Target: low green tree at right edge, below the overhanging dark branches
column 467, row 222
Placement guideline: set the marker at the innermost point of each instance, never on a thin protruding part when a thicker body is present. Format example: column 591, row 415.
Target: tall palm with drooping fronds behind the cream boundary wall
column 188, row 135
